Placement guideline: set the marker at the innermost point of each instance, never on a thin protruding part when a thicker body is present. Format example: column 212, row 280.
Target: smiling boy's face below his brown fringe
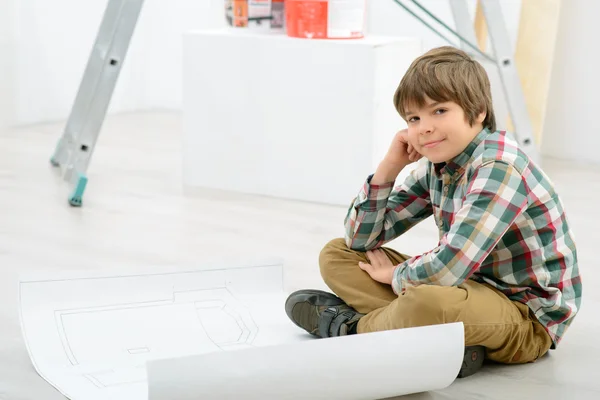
column 440, row 131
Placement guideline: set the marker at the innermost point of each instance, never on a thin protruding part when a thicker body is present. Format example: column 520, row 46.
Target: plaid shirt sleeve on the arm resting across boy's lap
column 496, row 196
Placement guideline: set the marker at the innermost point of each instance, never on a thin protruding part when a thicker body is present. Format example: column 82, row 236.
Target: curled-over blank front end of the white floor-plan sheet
column 366, row 366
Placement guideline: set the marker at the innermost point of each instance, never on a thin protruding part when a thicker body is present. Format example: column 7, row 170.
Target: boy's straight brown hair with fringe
column 447, row 74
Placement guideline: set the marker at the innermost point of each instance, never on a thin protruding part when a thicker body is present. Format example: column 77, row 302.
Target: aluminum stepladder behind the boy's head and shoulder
column 504, row 60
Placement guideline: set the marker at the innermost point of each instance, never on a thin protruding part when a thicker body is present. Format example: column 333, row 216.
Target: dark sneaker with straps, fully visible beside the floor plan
column 320, row 313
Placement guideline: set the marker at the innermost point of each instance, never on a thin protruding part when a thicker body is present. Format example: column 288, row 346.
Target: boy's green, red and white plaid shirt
column 500, row 222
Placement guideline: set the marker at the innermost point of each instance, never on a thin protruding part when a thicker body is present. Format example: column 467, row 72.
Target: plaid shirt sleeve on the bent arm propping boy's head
column 380, row 214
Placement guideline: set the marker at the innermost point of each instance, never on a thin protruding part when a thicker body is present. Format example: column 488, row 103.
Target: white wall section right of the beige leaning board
column 570, row 127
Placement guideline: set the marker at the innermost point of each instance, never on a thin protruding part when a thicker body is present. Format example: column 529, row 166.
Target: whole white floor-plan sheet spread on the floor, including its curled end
column 216, row 332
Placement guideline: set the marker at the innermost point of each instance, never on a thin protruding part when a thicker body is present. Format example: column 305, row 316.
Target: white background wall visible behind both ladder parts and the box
column 44, row 46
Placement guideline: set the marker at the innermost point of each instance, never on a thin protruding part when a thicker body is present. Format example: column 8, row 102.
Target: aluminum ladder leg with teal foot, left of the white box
column 75, row 147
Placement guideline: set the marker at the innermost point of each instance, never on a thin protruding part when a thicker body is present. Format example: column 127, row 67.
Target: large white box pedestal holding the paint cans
column 291, row 118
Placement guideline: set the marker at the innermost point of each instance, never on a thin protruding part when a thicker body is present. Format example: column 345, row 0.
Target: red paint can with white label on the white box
column 325, row 19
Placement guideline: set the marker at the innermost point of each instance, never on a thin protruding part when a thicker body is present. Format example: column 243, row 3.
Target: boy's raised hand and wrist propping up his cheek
column 400, row 154
